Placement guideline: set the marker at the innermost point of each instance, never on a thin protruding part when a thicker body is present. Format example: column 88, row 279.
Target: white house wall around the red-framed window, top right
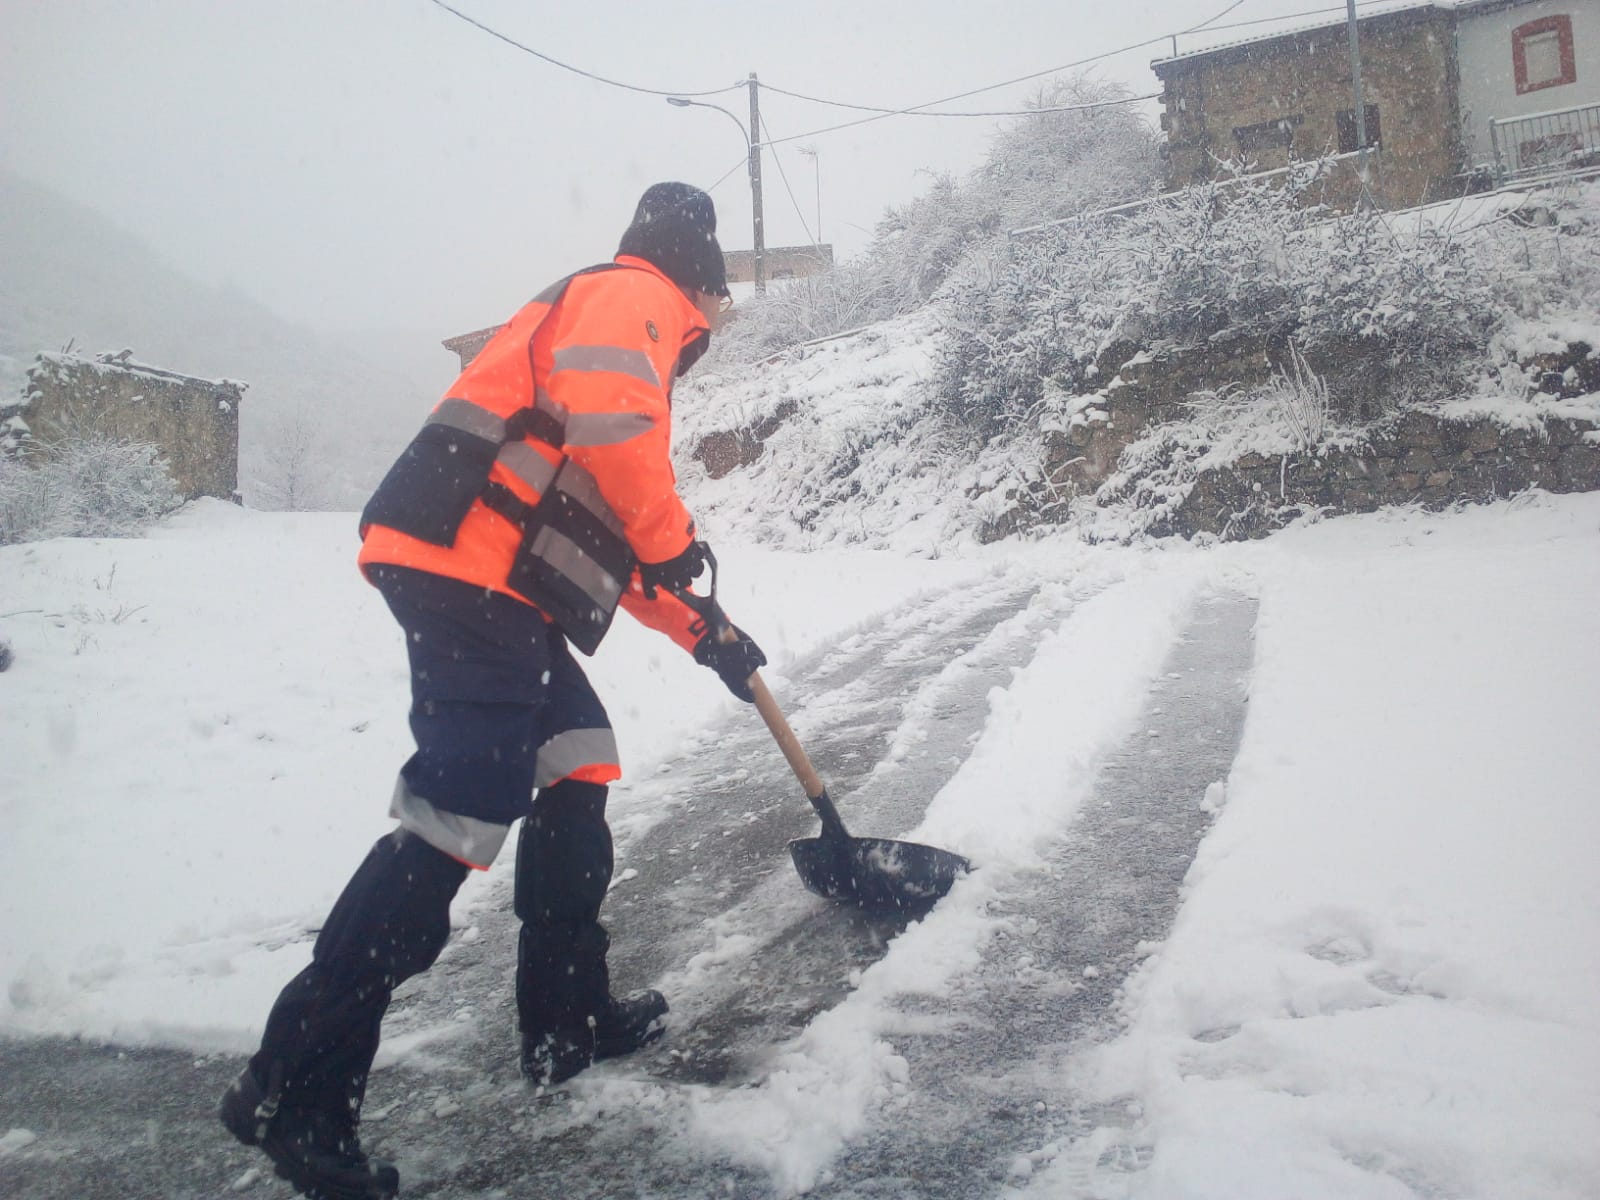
column 1489, row 81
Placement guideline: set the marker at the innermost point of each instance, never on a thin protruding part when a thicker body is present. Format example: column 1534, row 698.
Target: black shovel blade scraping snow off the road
column 876, row 873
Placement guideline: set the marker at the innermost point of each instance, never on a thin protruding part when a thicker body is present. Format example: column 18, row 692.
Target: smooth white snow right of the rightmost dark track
column 1383, row 978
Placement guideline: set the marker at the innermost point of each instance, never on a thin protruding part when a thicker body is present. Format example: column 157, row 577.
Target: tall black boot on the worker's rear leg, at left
column 300, row 1100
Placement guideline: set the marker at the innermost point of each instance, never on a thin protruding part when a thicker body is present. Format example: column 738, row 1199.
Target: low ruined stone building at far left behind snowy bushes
column 193, row 422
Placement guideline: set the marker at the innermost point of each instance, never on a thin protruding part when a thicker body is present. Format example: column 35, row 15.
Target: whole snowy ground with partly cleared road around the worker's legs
column 1354, row 959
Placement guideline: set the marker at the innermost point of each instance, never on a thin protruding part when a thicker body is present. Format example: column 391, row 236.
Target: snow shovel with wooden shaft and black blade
column 873, row 873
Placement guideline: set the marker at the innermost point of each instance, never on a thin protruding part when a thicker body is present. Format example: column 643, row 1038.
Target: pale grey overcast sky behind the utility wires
column 362, row 164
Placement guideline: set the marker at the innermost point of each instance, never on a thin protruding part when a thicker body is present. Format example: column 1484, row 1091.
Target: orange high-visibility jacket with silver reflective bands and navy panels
column 569, row 404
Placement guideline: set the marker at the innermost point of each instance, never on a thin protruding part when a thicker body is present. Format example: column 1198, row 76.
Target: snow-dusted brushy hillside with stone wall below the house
column 1094, row 375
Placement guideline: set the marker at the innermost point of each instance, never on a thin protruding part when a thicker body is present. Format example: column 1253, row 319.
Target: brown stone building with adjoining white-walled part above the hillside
column 1433, row 78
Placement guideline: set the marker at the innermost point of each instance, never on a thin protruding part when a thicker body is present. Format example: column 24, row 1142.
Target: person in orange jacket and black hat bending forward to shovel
column 537, row 500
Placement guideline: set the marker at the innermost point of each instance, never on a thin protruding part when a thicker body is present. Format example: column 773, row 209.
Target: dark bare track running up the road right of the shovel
column 988, row 1100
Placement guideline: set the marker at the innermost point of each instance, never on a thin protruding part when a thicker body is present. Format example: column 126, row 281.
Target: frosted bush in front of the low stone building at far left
column 90, row 487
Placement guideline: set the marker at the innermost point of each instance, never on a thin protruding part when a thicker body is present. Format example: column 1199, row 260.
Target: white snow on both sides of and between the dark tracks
column 1382, row 978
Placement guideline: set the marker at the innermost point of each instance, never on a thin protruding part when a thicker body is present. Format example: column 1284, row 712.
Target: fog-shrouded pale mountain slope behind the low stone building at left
column 330, row 409
